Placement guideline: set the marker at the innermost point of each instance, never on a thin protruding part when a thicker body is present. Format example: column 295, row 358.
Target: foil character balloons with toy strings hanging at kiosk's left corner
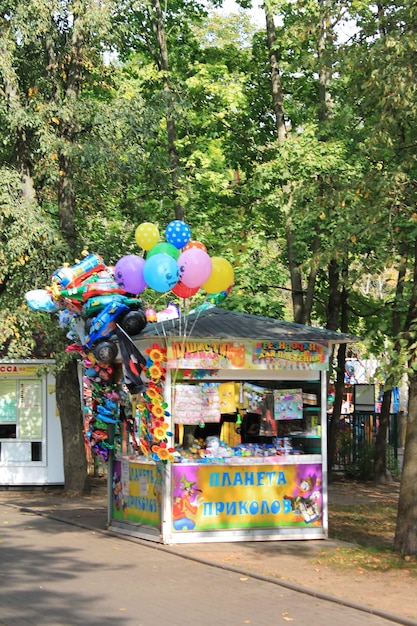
column 90, row 303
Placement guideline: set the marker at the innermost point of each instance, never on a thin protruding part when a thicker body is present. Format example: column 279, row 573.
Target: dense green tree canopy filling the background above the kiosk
column 345, row 192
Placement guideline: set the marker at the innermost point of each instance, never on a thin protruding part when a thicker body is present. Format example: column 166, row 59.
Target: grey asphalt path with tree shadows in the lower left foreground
column 52, row 572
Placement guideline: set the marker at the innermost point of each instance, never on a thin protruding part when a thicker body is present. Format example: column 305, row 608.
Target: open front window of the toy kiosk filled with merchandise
column 270, row 413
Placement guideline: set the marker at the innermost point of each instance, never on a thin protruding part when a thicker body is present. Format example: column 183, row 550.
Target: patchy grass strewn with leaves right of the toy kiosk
column 369, row 529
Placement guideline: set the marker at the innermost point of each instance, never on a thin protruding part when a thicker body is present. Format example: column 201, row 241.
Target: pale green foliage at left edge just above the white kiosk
column 27, row 237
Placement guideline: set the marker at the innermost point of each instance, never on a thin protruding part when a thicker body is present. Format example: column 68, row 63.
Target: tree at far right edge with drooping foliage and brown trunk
column 385, row 98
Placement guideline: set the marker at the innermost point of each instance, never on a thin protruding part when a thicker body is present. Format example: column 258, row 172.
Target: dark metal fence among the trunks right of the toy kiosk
column 356, row 440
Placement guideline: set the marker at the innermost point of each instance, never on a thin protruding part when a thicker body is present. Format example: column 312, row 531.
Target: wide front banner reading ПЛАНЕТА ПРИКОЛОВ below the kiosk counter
column 207, row 498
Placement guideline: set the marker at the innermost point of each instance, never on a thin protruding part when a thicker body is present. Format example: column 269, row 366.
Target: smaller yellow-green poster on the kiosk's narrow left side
column 137, row 493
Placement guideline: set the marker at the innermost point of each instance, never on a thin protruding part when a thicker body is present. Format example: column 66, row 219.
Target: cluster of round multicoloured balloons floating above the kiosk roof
column 178, row 264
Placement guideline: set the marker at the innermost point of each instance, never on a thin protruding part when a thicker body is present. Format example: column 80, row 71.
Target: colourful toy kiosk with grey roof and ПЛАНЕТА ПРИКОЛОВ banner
column 244, row 412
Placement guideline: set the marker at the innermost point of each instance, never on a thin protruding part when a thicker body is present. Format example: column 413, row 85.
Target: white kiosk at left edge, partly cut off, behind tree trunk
column 30, row 429
